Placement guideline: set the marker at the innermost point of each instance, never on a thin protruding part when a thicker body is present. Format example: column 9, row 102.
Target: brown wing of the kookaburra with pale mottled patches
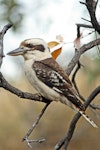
column 51, row 74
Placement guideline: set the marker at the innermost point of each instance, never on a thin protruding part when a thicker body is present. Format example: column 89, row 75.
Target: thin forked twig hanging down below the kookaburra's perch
column 25, row 138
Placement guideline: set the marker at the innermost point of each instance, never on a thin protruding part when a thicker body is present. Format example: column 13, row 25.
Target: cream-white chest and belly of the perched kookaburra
column 42, row 88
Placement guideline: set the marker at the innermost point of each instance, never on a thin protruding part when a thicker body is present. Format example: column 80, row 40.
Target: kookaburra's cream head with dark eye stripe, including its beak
column 34, row 48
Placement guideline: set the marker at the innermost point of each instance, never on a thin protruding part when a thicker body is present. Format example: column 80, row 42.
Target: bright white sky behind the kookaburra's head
column 44, row 19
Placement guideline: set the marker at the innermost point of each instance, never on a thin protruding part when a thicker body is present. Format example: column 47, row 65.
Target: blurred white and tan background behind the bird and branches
column 46, row 19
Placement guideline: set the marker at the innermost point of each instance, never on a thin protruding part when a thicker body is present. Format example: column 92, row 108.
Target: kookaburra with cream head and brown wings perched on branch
column 47, row 76
